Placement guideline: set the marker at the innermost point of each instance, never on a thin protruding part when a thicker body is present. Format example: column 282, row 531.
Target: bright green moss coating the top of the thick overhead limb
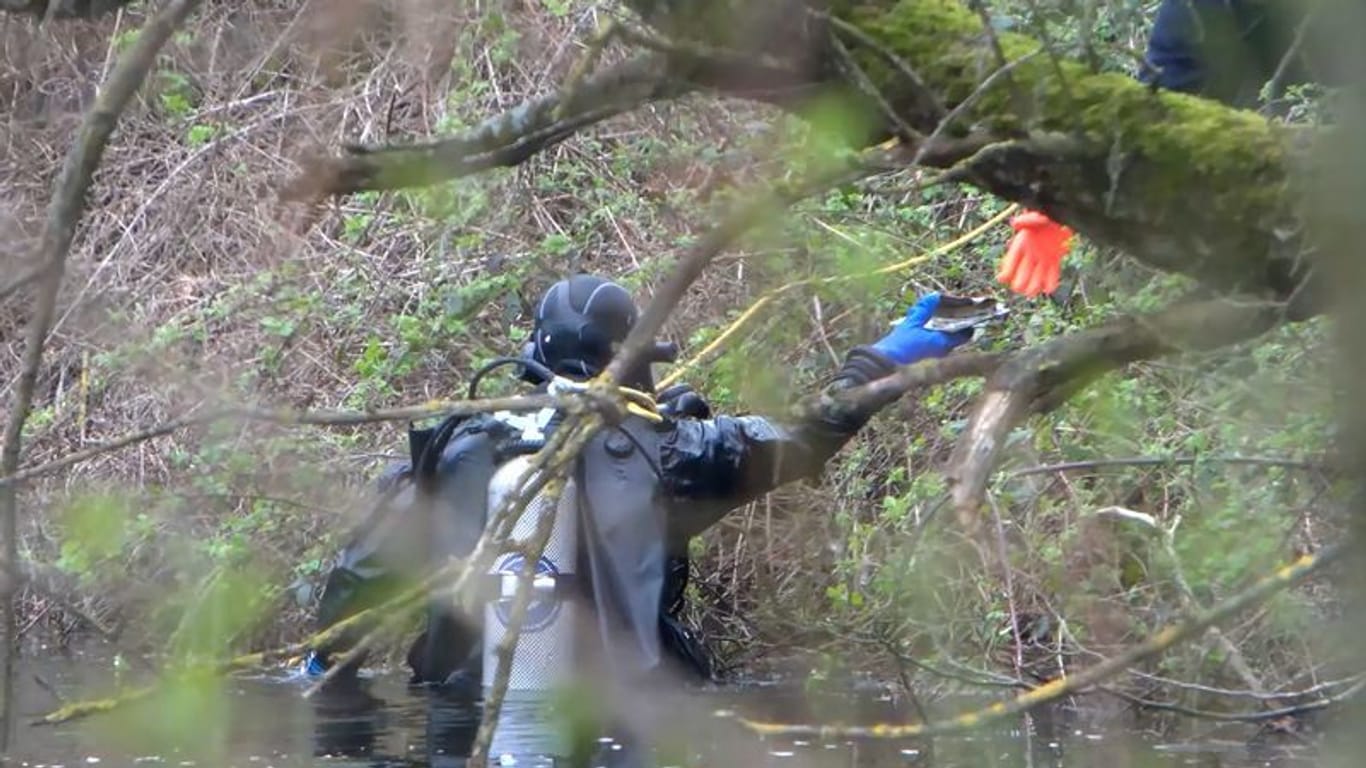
column 1186, row 143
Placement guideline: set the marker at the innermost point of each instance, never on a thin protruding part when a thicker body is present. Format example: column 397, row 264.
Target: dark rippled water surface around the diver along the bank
column 264, row 722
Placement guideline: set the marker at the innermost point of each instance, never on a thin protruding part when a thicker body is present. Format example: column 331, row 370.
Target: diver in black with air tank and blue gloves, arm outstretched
column 611, row 586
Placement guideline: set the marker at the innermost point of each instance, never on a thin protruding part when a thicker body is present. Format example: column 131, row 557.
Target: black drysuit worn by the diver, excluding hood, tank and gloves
column 645, row 491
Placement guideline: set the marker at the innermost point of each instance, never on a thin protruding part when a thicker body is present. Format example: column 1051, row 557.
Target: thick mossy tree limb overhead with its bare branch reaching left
column 1103, row 154
